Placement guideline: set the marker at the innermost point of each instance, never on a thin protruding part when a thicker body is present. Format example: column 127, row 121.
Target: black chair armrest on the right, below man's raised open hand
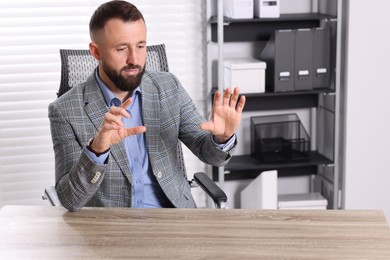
column 211, row 188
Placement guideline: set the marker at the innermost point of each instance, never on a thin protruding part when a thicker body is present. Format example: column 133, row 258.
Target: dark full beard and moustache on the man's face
column 122, row 83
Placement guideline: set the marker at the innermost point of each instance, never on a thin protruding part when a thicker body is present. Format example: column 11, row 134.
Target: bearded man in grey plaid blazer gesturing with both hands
column 116, row 136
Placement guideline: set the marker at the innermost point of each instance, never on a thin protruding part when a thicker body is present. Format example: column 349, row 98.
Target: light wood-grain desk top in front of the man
column 33, row 232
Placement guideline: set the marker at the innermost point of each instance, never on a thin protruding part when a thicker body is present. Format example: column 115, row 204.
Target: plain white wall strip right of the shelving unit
column 367, row 106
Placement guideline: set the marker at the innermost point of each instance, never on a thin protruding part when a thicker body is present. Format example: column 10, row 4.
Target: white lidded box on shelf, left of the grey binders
column 246, row 73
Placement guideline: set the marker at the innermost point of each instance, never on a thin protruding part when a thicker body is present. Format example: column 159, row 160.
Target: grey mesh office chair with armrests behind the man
column 76, row 66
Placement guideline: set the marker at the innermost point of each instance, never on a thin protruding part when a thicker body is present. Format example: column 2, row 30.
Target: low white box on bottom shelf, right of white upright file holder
column 310, row 201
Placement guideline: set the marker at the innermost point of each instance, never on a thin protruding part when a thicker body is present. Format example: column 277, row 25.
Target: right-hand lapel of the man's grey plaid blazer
column 151, row 115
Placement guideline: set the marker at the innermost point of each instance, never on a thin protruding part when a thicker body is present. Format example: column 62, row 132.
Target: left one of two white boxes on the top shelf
column 238, row 9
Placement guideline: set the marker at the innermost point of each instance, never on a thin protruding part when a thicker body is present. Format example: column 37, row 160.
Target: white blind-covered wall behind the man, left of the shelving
column 31, row 34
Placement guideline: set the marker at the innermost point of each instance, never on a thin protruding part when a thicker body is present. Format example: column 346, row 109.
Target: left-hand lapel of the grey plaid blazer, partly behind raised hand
column 96, row 108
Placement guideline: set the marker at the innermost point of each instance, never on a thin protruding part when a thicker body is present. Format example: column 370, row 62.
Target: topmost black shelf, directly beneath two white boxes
column 261, row 29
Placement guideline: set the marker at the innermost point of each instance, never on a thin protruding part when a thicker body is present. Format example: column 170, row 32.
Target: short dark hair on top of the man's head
column 123, row 10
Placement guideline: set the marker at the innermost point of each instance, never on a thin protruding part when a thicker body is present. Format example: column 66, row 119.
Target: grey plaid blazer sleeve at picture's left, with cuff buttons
column 77, row 176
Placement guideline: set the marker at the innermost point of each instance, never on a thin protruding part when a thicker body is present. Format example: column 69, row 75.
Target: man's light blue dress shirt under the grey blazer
column 146, row 192
